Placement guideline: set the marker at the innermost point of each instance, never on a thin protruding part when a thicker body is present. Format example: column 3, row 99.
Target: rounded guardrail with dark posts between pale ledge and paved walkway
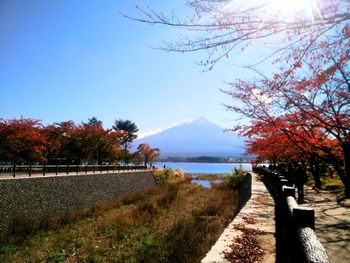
column 295, row 226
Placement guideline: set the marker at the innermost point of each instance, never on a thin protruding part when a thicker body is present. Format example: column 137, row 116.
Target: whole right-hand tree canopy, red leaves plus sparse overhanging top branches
column 300, row 107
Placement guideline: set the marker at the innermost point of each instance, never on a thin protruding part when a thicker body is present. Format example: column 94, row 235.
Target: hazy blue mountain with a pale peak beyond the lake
column 195, row 137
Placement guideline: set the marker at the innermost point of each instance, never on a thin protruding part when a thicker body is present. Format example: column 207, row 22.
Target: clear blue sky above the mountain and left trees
column 72, row 59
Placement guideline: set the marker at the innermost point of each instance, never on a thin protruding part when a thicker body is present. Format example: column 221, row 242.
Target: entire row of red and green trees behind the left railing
column 27, row 140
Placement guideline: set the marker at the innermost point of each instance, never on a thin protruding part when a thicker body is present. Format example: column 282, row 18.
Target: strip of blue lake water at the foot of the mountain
column 205, row 168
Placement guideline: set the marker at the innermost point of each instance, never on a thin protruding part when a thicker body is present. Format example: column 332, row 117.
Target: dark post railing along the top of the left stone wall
column 29, row 170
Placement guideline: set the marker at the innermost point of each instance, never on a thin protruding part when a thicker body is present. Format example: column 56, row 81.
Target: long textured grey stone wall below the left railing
column 38, row 197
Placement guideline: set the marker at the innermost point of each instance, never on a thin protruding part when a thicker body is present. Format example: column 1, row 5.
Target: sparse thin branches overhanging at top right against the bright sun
column 229, row 26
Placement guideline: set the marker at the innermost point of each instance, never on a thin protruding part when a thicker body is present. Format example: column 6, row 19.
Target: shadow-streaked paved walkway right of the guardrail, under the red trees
column 332, row 223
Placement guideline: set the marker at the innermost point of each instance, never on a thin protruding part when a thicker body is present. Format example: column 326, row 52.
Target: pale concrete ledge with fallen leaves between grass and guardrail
column 261, row 208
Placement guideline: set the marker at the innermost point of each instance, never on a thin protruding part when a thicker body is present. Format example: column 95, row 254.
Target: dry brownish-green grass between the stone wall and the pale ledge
column 175, row 222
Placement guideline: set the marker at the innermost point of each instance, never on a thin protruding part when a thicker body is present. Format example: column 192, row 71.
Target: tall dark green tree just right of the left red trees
column 128, row 131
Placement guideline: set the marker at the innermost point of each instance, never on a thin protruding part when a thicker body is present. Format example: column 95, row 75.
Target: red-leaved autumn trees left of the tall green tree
column 27, row 140
